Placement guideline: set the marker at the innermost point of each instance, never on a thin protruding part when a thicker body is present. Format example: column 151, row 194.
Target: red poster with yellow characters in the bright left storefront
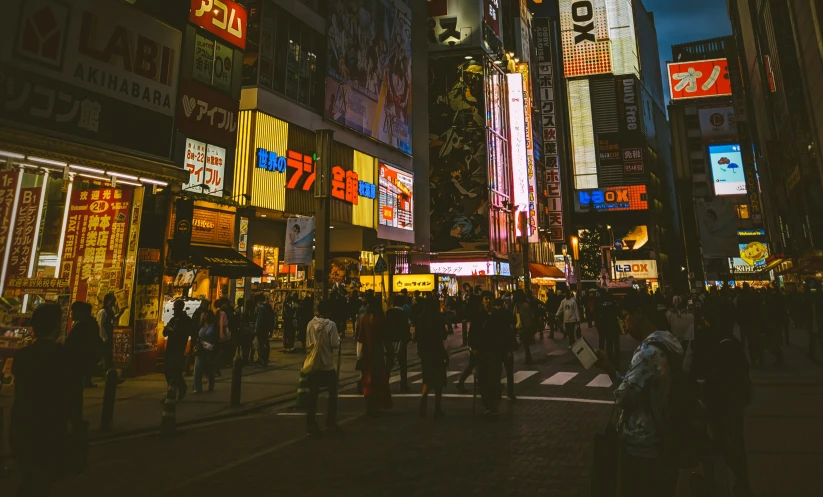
column 95, row 243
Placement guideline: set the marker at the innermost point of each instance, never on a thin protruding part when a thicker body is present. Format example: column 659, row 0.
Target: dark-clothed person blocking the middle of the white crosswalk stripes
column 489, row 340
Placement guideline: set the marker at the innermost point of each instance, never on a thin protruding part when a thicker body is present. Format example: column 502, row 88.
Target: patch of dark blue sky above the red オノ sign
column 680, row 21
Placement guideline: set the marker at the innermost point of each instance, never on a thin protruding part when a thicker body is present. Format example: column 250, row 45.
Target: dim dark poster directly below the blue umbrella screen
column 718, row 227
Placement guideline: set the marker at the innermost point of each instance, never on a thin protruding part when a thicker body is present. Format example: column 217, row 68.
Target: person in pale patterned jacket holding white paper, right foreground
column 648, row 396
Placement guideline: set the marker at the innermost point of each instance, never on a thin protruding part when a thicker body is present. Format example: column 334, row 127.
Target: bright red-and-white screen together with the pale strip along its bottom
column 395, row 203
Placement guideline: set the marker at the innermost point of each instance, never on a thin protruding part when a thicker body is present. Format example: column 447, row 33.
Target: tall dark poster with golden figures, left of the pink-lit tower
column 458, row 175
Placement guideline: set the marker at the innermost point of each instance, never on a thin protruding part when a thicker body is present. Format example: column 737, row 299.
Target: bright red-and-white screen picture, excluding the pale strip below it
column 396, row 198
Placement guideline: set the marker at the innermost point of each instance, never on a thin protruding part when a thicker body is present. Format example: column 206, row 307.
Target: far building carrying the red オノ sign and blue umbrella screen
column 724, row 236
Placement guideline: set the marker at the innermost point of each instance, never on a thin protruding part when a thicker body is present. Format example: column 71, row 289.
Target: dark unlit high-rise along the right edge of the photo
column 779, row 55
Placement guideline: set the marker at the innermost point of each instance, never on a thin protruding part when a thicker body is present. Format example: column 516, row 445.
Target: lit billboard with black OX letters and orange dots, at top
column 584, row 32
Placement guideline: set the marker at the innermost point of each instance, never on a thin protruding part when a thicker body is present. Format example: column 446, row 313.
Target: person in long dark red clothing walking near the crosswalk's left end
column 371, row 354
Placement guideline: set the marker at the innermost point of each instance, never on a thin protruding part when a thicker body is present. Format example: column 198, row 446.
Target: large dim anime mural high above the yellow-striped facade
column 368, row 87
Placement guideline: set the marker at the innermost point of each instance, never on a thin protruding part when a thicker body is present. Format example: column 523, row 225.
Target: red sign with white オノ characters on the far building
column 700, row 79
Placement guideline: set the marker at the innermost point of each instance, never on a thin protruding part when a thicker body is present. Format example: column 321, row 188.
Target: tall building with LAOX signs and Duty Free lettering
column 619, row 166
